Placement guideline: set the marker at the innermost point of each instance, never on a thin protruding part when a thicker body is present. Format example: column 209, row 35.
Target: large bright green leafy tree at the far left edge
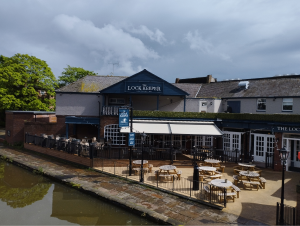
column 21, row 78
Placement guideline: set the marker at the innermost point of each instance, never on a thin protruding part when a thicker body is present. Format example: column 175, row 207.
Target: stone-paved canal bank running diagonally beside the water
column 150, row 203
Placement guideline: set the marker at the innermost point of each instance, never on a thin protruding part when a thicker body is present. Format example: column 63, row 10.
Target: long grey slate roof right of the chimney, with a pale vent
column 264, row 87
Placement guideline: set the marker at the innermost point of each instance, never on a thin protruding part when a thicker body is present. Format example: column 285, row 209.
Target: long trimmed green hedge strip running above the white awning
column 233, row 116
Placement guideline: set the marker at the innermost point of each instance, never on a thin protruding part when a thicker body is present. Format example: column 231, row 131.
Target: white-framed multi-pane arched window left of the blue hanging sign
column 113, row 132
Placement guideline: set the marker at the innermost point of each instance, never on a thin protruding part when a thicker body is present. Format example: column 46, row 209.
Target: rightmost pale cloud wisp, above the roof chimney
column 200, row 45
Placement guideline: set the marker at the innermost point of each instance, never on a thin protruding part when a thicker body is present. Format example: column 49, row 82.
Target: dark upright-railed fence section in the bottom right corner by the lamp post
column 289, row 215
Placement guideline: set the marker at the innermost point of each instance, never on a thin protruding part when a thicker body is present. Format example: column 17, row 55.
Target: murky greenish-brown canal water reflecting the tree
column 30, row 199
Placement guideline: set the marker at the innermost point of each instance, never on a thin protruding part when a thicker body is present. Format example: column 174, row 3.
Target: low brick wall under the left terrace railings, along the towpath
column 59, row 154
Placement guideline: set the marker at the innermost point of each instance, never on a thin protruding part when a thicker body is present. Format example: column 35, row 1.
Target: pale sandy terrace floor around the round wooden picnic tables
column 251, row 204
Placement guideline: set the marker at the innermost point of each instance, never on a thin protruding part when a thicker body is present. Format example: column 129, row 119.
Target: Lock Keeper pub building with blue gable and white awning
column 90, row 106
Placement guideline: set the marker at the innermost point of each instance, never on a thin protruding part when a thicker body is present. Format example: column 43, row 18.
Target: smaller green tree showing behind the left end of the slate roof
column 72, row 74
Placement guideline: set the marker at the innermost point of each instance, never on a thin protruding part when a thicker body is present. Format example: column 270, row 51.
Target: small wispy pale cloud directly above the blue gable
column 156, row 35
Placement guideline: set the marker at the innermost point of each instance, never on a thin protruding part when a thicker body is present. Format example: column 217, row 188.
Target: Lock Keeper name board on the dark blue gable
column 143, row 87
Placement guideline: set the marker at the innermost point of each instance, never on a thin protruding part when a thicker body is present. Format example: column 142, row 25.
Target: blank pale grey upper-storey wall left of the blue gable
column 77, row 104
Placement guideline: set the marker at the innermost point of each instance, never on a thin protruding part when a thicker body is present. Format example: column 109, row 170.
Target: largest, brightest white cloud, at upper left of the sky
column 108, row 41
